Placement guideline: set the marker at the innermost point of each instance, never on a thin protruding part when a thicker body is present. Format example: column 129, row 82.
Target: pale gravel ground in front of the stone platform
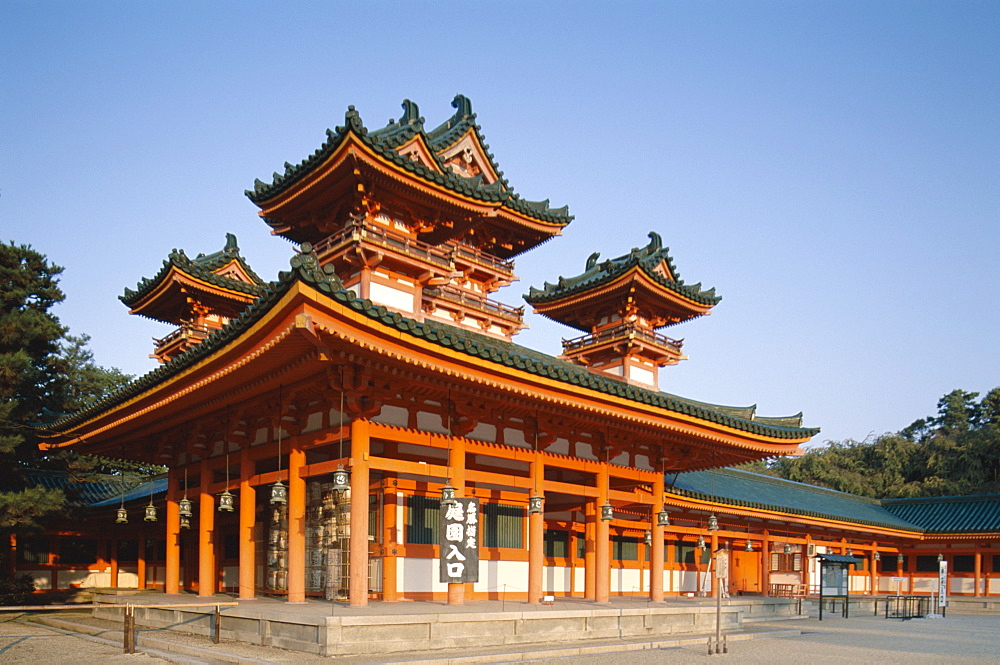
column 956, row 639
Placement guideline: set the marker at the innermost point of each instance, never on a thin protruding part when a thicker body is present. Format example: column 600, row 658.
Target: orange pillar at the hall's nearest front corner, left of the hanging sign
column 357, row 587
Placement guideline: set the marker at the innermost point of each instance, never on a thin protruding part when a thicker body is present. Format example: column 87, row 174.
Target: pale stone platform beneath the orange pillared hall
column 387, row 628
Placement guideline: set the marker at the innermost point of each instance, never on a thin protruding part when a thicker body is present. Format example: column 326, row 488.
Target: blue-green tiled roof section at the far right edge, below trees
column 979, row 512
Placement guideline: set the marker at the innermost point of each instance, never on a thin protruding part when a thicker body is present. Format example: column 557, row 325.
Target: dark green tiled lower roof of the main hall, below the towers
column 307, row 269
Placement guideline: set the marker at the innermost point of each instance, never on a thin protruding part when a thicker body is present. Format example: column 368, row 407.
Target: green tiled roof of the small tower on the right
column 646, row 258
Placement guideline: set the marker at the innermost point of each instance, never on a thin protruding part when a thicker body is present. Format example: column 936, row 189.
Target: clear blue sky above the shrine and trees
column 831, row 168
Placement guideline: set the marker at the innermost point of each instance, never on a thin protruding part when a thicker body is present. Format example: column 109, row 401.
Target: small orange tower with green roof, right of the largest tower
column 620, row 304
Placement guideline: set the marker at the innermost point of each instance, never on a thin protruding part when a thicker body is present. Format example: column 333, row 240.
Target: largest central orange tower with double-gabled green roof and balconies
column 420, row 221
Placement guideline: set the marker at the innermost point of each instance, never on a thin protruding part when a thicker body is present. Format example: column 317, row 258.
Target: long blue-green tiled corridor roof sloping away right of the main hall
column 753, row 490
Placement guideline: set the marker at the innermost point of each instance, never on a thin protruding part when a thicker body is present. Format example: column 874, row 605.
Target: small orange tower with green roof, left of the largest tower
column 200, row 295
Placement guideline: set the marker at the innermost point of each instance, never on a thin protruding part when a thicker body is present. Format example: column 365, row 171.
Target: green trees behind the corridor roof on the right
column 955, row 452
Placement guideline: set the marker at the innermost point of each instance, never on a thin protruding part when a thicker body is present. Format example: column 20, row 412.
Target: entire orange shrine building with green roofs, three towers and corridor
column 313, row 424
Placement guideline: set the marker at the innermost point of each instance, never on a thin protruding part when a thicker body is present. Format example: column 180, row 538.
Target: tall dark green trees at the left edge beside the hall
column 45, row 372
